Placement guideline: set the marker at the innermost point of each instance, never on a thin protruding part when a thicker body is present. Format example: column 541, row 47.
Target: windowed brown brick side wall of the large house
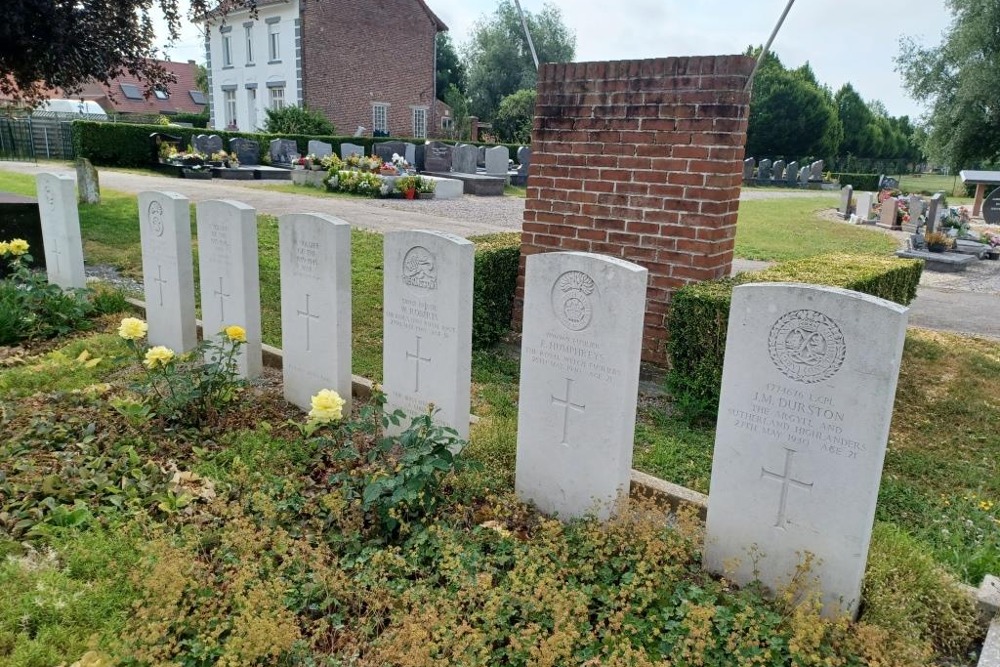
column 358, row 53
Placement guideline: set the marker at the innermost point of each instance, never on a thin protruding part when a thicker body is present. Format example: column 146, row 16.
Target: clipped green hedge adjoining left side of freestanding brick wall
column 497, row 257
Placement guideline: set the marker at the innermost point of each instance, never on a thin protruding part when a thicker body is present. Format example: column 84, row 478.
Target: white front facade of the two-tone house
column 253, row 64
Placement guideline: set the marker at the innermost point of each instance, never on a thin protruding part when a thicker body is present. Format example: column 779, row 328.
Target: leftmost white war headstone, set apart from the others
column 61, row 229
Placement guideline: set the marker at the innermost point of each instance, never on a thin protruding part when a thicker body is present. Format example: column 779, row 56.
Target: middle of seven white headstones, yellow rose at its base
column 315, row 306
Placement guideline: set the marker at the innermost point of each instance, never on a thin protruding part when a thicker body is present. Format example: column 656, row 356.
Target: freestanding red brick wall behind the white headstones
column 641, row 160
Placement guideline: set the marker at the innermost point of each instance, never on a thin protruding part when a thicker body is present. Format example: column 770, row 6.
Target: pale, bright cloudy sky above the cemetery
column 843, row 40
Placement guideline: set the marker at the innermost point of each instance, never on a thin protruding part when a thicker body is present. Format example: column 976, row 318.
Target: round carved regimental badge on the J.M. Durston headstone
column 806, row 346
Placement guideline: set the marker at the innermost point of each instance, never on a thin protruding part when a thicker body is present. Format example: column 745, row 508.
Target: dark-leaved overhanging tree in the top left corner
column 46, row 44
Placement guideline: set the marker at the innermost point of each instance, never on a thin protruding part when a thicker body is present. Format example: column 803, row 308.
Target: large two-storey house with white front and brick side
column 365, row 64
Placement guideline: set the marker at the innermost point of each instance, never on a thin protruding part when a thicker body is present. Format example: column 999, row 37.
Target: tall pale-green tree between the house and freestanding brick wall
column 497, row 58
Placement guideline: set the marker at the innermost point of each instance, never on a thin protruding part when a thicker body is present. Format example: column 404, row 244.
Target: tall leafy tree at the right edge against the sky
column 957, row 80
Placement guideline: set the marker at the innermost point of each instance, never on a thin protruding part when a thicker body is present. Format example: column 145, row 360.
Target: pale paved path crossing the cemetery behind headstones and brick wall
column 966, row 303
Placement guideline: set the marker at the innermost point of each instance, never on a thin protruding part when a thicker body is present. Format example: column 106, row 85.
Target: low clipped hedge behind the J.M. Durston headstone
column 699, row 317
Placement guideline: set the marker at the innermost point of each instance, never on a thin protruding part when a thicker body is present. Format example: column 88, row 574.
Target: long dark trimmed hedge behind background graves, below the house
column 127, row 145
